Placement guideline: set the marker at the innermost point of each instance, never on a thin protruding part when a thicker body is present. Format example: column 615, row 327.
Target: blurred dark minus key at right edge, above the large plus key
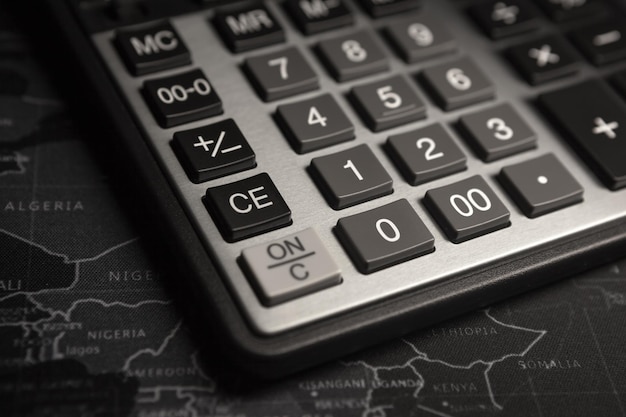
column 602, row 43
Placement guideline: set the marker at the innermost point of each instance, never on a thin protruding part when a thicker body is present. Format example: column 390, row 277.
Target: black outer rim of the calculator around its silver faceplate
column 276, row 356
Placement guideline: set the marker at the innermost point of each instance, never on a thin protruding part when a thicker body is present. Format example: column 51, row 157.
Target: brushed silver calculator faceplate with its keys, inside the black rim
column 275, row 148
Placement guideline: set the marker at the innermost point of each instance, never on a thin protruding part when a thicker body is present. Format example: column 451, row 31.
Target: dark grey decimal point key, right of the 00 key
column 541, row 185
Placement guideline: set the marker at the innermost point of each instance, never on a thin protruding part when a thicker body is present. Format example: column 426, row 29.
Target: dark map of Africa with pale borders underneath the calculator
column 88, row 328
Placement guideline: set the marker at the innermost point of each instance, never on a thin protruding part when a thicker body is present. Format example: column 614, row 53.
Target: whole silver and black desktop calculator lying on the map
column 330, row 174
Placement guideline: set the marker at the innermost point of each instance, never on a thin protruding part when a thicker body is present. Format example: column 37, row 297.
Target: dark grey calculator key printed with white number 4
column 314, row 124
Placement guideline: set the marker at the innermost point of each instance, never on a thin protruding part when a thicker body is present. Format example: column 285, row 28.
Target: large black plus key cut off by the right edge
column 593, row 119
